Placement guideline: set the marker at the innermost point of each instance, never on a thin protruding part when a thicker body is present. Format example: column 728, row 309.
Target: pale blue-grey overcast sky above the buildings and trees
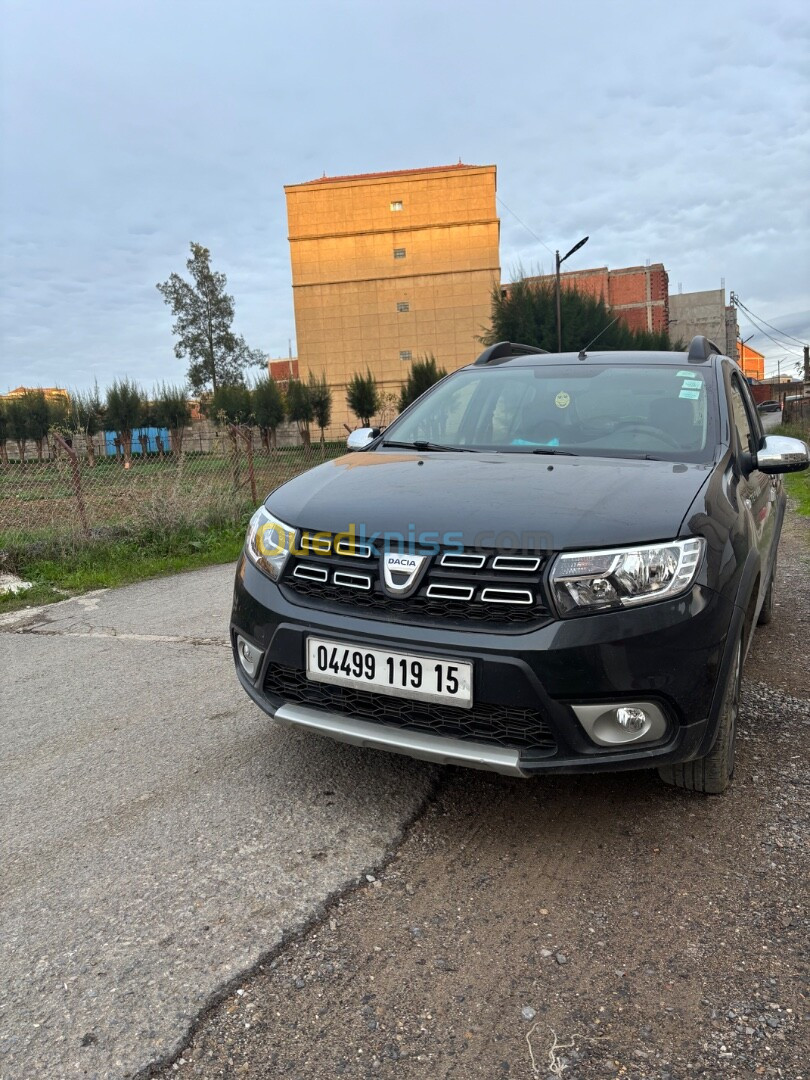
column 671, row 132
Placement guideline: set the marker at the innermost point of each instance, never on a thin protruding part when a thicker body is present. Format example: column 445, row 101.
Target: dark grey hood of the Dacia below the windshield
column 494, row 501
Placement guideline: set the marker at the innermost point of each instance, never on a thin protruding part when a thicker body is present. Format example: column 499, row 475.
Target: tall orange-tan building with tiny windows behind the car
column 388, row 267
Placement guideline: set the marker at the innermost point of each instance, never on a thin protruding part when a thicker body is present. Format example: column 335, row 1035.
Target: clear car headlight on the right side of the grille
column 625, row 577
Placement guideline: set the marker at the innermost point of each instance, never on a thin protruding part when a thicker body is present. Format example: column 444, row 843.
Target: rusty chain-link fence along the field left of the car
column 76, row 498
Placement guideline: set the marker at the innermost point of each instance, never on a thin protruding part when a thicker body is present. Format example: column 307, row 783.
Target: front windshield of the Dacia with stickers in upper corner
column 605, row 411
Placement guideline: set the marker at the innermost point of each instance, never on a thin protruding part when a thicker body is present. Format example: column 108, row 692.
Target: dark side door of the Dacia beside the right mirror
column 757, row 491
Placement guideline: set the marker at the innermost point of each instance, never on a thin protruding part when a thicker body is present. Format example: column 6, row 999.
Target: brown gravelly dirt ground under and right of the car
column 577, row 926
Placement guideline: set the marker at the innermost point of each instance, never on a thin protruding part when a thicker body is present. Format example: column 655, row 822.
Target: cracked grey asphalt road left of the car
column 159, row 834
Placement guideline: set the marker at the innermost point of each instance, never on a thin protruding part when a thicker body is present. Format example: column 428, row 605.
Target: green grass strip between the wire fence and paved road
column 117, row 561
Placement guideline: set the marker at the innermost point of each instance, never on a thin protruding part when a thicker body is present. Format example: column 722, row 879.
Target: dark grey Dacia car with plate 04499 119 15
column 547, row 563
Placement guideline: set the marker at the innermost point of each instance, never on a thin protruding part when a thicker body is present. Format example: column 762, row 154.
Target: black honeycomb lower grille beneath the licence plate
column 503, row 726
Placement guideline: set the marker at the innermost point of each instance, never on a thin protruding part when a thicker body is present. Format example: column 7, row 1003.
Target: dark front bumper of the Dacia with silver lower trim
column 671, row 655
